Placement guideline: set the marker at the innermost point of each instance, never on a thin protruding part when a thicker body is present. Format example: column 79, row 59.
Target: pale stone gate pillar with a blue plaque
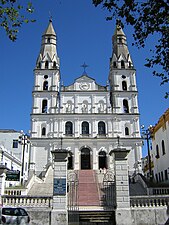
column 59, row 214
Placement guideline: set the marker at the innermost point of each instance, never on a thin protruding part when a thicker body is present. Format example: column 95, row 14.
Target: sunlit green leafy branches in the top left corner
column 13, row 15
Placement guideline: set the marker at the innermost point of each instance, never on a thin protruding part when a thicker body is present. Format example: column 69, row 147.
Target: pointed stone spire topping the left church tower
column 48, row 53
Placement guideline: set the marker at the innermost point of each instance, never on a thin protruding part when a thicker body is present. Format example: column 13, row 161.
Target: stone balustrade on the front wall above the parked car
column 27, row 201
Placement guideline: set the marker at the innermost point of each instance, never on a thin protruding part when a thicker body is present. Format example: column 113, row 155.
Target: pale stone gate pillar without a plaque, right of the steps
column 123, row 212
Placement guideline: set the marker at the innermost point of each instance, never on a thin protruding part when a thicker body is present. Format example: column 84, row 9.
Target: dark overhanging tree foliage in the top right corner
column 147, row 17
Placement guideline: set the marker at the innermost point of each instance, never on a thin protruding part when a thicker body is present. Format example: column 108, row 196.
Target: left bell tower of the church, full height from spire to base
column 45, row 95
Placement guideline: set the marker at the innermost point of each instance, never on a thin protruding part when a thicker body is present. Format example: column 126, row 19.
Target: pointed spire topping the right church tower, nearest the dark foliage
column 120, row 48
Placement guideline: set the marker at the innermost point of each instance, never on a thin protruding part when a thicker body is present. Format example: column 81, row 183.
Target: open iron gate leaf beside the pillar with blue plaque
column 72, row 198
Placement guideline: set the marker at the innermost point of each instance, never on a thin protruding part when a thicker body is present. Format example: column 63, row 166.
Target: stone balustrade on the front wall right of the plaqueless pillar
column 149, row 201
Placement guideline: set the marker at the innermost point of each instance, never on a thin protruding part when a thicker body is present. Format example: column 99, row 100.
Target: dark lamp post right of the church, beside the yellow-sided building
column 146, row 134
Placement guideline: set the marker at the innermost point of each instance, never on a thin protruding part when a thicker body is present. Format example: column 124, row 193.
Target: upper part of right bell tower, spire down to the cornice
column 123, row 89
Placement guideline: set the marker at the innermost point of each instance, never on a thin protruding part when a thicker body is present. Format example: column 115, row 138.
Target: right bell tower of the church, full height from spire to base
column 124, row 96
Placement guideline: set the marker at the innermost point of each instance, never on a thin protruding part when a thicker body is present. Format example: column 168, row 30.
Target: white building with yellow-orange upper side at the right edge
column 160, row 149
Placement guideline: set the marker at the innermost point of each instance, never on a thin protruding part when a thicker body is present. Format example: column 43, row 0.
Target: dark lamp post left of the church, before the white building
column 24, row 141
